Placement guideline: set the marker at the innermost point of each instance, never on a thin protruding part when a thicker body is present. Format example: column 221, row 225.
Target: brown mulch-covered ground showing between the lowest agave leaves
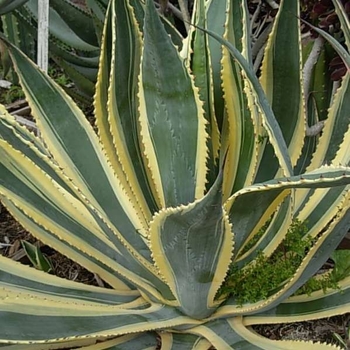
column 11, row 234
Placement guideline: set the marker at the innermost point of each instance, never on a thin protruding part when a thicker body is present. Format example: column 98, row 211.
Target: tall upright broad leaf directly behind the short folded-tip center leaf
column 171, row 117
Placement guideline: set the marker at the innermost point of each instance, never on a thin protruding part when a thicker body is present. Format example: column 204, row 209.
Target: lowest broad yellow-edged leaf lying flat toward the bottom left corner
column 47, row 320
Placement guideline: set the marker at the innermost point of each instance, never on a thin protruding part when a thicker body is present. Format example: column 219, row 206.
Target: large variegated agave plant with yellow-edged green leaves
column 193, row 156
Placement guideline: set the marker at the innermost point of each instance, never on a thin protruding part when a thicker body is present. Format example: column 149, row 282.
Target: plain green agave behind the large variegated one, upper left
column 75, row 38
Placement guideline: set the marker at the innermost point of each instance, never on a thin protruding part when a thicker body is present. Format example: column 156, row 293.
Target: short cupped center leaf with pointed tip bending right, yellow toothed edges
column 192, row 247
